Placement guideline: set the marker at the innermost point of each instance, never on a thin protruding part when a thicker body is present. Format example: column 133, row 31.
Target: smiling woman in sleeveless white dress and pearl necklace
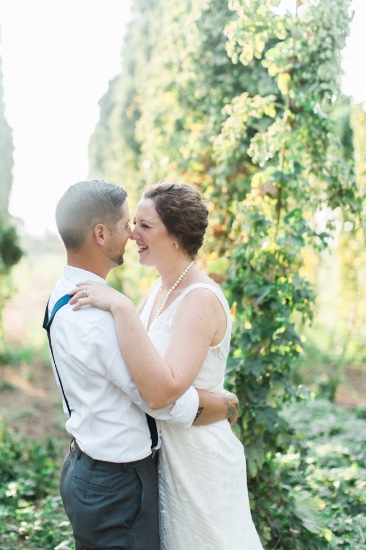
column 202, row 473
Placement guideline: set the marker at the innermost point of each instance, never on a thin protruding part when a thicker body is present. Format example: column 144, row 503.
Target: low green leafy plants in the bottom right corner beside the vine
column 316, row 497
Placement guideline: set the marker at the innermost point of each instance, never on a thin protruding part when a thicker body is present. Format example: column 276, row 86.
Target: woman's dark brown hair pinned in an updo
column 182, row 211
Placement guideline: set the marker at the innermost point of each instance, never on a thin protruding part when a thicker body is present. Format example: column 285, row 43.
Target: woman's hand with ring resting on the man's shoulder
column 95, row 294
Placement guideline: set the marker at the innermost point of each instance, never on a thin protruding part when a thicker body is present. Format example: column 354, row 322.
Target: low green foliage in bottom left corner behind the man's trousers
column 31, row 512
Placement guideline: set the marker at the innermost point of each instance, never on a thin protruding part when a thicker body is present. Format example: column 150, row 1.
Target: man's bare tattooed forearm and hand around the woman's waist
column 214, row 407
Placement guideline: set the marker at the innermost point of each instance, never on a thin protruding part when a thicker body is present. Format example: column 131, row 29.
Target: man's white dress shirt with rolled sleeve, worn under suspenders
column 108, row 417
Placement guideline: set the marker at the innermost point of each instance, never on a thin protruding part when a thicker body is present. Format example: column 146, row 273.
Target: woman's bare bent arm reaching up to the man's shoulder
column 161, row 380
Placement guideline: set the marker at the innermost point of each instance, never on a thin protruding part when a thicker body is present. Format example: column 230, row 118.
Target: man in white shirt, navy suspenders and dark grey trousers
column 109, row 484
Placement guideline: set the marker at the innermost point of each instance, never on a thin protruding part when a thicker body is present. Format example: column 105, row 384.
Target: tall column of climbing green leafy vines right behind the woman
column 294, row 169
